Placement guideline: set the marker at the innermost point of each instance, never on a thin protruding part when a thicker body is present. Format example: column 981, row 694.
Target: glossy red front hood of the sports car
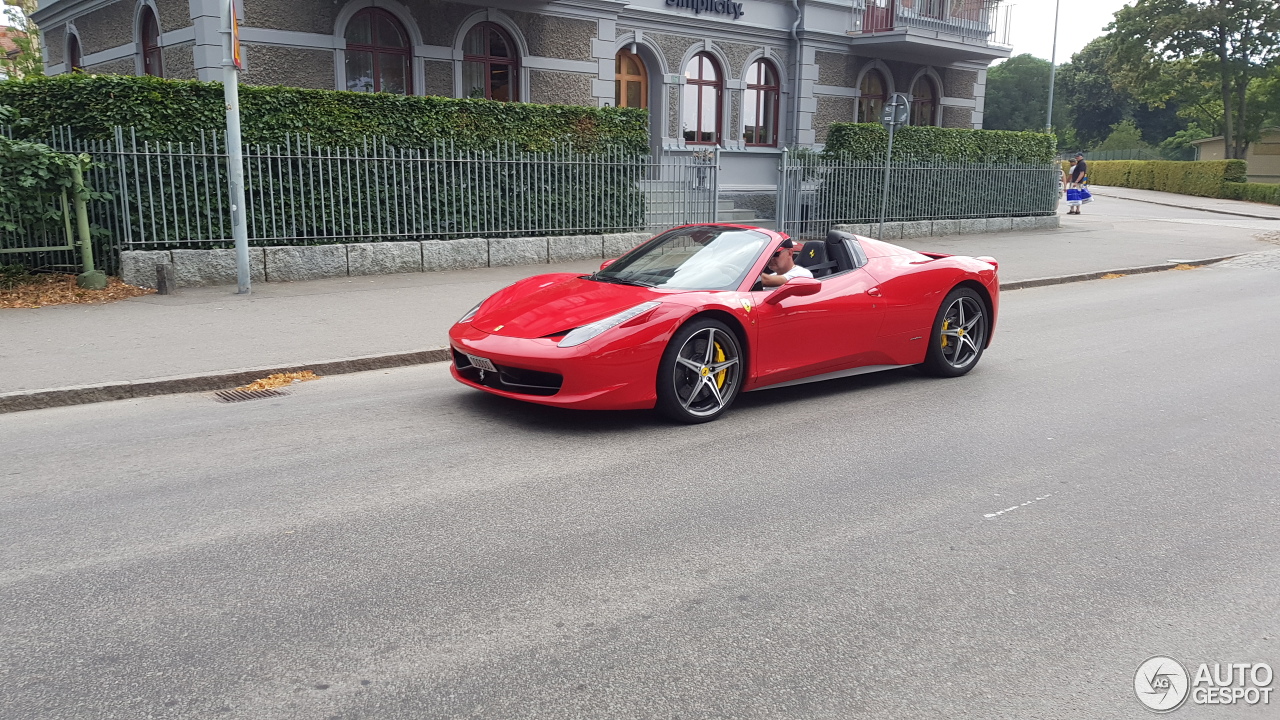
column 546, row 306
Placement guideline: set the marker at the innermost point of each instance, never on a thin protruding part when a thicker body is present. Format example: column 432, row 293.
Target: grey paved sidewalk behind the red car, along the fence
column 213, row 330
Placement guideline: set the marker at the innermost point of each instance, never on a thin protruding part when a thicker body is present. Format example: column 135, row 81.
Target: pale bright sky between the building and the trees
column 1081, row 21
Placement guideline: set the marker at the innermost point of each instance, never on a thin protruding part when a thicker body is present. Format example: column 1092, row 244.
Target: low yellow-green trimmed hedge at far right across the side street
column 1205, row 179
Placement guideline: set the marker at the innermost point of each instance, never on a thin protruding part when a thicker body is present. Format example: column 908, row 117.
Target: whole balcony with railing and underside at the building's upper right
column 932, row 31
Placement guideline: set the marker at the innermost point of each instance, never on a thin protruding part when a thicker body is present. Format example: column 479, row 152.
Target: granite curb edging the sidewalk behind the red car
column 209, row 382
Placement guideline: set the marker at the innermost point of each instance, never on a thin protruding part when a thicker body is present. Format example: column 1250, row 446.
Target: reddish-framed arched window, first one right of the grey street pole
column 378, row 54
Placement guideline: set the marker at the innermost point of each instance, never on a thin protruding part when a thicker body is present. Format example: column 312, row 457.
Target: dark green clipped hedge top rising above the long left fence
column 166, row 110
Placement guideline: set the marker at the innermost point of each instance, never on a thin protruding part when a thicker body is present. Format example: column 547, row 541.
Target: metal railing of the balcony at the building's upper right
column 988, row 21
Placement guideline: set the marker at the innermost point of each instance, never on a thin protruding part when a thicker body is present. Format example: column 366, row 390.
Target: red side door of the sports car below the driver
column 833, row 330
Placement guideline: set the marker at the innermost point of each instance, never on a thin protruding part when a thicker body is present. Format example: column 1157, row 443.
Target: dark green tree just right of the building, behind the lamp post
column 1018, row 95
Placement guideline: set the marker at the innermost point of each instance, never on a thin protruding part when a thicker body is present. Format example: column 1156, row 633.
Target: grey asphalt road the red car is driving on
column 1100, row 490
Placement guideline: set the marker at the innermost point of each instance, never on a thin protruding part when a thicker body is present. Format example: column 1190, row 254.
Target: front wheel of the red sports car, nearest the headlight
column 702, row 372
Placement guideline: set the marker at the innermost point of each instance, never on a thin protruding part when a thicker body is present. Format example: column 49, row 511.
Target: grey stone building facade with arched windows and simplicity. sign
column 748, row 76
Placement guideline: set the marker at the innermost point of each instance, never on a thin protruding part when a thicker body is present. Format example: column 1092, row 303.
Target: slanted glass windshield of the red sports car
column 694, row 258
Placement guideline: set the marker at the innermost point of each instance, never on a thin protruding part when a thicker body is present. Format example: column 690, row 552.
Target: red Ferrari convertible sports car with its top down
column 683, row 323
